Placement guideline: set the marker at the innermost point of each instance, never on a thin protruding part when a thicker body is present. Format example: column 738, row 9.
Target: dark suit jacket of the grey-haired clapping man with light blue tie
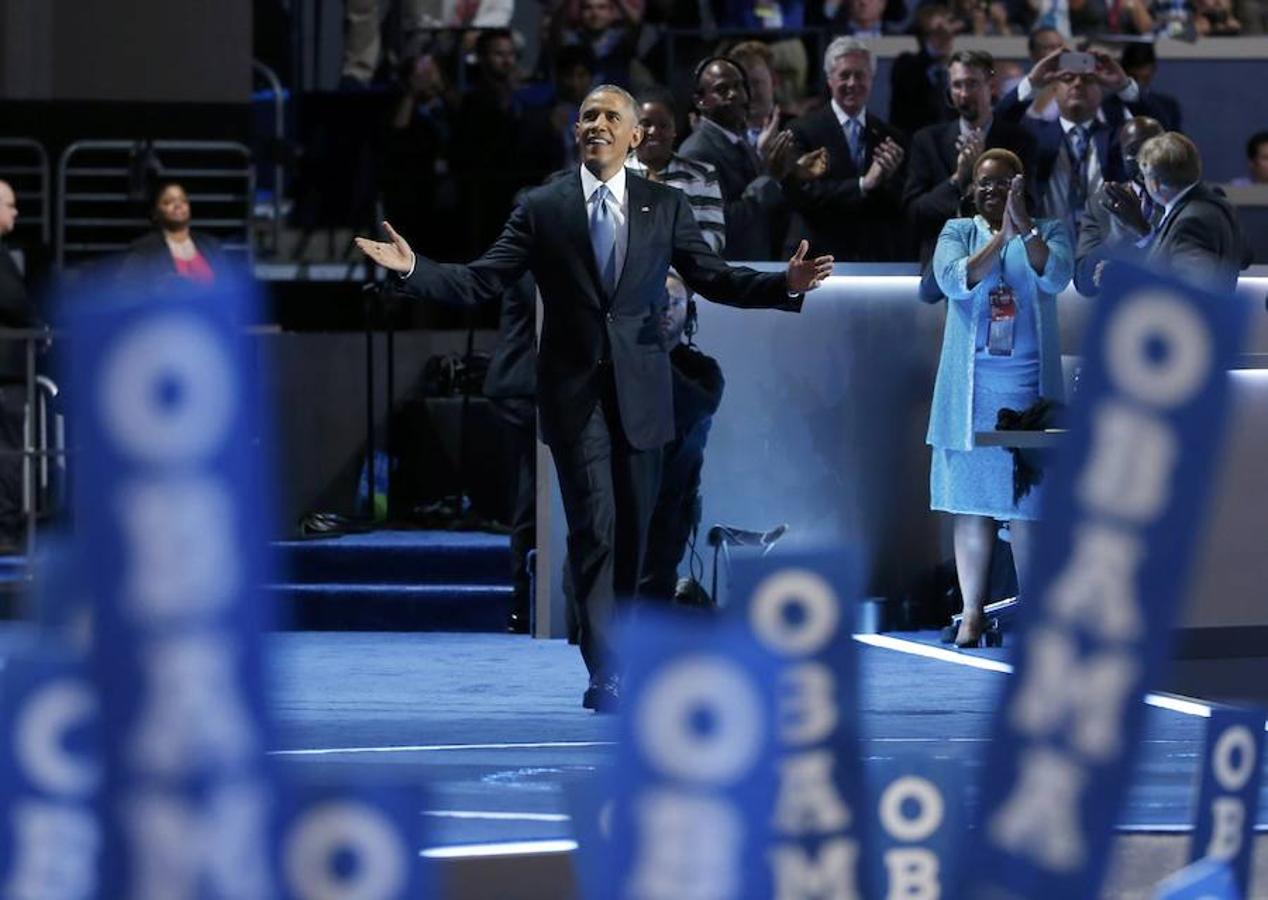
column 840, row 220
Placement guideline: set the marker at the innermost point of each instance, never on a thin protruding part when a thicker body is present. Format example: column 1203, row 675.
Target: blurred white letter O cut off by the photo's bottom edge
column 347, row 828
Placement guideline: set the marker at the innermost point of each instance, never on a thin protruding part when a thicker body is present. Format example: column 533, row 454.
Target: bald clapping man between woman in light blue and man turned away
column 1120, row 217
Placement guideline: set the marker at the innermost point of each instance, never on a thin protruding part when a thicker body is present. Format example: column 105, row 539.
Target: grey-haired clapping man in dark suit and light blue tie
column 855, row 212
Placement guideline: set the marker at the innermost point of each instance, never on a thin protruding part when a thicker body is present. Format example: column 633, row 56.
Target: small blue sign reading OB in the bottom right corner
column 1228, row 800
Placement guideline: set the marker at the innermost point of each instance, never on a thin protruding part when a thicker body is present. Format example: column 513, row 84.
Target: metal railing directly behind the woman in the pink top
column 101, row 184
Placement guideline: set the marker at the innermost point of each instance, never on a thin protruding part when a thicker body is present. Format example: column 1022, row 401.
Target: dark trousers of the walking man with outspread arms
column 609, row 491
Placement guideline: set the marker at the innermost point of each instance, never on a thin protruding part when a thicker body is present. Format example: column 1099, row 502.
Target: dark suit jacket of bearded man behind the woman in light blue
column 929, row 196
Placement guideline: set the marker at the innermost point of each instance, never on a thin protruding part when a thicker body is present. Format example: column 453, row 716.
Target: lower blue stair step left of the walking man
column 394, row 608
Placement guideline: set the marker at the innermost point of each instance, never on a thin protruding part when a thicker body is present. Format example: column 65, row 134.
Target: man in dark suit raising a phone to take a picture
column 1078, row 153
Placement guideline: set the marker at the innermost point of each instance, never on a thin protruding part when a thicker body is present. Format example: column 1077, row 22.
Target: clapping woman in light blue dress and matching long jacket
column 1001, row 274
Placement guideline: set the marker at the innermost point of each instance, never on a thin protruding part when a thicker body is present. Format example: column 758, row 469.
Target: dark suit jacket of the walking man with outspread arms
column 584, row 330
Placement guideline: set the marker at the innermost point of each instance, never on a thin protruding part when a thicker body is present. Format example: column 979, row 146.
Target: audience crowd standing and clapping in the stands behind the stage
column 475, row 121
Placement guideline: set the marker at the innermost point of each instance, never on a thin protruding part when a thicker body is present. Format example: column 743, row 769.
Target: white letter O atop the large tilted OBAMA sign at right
column 1165, row 321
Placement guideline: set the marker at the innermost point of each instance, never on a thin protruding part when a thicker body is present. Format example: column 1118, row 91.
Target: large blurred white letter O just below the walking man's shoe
column 674, row 704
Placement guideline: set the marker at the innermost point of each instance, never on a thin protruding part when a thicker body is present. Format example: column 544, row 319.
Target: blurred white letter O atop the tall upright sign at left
column 169, row 391
